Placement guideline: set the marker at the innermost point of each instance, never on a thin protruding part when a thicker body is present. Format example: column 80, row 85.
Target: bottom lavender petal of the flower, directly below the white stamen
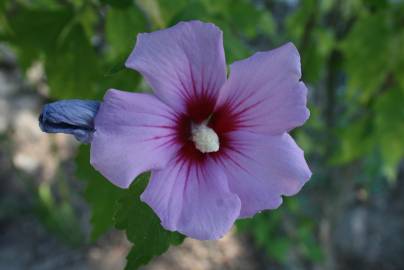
column 193, row 199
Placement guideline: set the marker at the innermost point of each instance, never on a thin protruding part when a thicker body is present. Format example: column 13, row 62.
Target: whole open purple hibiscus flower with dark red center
column 217, row 147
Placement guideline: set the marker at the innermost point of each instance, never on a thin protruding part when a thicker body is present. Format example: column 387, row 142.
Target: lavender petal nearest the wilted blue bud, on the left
column 134, row 133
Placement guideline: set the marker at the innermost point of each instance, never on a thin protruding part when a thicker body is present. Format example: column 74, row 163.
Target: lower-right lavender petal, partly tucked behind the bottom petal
column 261, row 168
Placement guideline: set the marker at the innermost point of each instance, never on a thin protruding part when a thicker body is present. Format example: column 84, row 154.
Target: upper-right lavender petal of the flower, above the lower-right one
column 264, row 92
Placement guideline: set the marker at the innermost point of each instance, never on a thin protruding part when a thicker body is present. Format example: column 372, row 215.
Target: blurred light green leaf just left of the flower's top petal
column 122, row 26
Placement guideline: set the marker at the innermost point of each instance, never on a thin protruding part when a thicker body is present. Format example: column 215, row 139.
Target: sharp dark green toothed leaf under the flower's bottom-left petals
column 142, row 227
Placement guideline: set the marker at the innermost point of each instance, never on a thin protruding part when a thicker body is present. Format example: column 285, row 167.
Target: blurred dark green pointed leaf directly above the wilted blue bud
column 72, row 67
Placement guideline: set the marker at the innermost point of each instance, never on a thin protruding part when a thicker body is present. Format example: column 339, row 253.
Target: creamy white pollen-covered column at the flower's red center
column 205, row 138
